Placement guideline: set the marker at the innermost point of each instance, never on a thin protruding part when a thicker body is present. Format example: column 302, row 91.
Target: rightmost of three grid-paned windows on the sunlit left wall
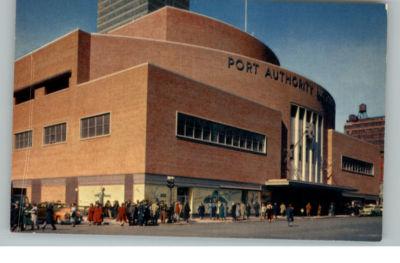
column 95, row 126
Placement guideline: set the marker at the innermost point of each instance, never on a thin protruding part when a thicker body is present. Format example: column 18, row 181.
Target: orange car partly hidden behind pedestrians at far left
column 62, row 213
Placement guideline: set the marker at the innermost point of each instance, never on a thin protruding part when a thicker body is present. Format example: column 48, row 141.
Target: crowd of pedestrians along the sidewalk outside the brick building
column 144, row 213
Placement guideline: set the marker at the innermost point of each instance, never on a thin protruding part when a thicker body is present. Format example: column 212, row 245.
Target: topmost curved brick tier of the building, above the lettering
column 178, row 25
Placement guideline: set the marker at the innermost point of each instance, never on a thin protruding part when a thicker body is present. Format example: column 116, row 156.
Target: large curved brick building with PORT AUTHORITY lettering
column 179, row 94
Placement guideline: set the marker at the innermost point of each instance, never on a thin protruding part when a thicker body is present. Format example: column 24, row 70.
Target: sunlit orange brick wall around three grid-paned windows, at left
column 123, row 95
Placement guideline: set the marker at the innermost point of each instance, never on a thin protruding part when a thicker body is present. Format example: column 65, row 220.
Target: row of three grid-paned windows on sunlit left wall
column 90, row 127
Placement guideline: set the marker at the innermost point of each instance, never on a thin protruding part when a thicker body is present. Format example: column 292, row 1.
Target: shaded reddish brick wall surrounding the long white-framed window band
column 165, row 154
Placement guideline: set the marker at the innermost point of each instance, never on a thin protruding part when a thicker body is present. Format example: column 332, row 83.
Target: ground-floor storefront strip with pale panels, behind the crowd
column 137, row 187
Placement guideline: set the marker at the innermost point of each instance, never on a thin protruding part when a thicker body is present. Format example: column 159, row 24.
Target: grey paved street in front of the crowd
column 338, row 228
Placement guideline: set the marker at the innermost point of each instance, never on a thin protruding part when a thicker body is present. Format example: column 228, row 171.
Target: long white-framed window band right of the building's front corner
column 198, row 129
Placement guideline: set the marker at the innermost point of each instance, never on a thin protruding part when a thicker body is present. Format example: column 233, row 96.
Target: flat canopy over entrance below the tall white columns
column 274, row 183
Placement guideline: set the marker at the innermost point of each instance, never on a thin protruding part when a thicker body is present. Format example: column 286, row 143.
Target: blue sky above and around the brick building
column 340, row 46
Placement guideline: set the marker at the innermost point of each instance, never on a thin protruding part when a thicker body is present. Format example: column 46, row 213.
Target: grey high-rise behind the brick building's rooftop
column 114, row 13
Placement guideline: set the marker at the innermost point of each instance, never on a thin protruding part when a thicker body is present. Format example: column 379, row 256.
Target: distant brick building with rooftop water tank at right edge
column 369, row 129
